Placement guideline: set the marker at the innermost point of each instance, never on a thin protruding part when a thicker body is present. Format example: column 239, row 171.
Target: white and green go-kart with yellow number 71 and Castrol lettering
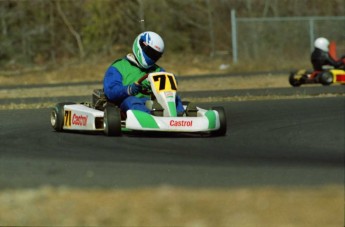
column 104, row 116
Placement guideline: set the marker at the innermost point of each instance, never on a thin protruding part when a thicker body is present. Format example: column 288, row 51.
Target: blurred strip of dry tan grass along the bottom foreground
column 168, row 206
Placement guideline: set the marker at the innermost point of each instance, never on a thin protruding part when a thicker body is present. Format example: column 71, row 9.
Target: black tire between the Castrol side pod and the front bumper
column 112, row 121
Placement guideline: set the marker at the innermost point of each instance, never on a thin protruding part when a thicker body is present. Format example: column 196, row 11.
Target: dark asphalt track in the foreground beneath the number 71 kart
column 279, row 142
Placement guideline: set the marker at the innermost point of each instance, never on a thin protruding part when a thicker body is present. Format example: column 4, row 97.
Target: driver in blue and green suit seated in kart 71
column 120, row 81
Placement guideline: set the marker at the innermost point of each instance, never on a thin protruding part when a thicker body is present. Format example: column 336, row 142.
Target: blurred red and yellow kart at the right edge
column 327, row 76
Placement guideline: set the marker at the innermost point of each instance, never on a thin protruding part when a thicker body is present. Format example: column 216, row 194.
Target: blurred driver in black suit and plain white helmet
column 320, row 57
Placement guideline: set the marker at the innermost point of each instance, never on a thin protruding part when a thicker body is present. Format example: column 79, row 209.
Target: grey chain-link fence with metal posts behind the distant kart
column 277, row 39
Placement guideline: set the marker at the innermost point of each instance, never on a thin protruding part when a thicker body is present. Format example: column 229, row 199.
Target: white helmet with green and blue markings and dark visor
column 148, row 47
